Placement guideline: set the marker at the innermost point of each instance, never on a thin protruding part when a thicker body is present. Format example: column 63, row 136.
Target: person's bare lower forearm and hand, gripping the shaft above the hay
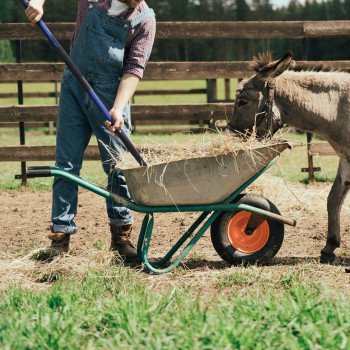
column 126, row 90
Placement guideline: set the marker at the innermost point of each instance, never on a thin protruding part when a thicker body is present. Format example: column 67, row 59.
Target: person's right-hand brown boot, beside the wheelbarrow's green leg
column 120, row 243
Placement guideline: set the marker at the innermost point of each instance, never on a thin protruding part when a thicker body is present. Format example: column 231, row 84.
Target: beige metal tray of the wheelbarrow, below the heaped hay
column 196, row 181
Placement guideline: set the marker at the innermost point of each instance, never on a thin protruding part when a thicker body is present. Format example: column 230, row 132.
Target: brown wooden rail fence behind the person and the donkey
column 155, row 71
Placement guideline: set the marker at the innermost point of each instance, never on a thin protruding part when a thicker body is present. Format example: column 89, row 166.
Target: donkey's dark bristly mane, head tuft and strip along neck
column 263, row 59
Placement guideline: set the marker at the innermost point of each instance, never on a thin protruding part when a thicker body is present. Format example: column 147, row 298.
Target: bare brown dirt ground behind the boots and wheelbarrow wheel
column 25, row 223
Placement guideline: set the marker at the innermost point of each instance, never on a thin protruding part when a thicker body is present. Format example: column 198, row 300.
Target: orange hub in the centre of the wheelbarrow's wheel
column 240, row 240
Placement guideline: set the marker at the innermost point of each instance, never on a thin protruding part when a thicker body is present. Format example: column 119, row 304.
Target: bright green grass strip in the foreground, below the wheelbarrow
column 115, row 309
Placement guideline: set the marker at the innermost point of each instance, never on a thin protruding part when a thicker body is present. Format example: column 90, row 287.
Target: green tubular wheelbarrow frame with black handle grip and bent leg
column 145, row 235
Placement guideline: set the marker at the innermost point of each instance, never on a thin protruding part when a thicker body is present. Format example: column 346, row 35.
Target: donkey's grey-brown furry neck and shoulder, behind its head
column 314, row 101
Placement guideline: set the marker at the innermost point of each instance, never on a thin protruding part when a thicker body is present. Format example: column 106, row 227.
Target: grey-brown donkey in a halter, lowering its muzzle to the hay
column 310, row 98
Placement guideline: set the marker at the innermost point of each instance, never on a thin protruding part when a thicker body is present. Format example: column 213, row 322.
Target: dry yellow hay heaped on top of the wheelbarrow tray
column 197, row 146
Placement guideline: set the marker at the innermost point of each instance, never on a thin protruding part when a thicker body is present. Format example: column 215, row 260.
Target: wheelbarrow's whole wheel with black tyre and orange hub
column 238, row 244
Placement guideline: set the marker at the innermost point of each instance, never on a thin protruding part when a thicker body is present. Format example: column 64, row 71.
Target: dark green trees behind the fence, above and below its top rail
column 203, row 10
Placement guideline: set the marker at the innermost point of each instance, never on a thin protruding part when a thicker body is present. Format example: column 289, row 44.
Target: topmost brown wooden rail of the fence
column 202, row 30
